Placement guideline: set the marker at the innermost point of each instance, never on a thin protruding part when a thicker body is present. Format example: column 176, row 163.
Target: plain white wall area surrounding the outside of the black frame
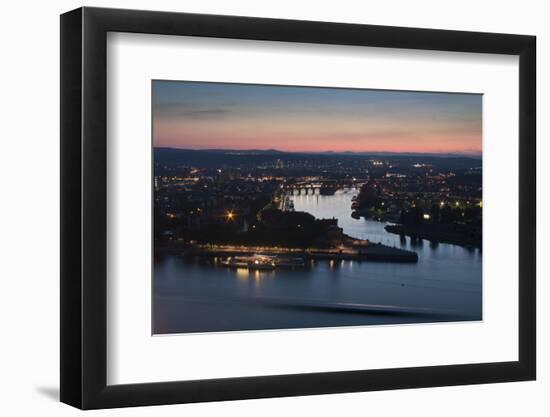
column 29, row 213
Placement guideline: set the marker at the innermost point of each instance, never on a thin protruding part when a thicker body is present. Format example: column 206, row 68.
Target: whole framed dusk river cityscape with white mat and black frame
column 257, row 208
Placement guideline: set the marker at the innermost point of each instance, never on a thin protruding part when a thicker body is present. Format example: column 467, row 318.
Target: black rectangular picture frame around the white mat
column 84, row 207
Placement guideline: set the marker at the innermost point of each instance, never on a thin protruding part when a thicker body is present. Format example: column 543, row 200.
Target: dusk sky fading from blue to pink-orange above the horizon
column 195, row 115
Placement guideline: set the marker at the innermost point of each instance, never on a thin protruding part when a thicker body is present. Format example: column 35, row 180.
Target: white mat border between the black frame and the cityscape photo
column 134, row 356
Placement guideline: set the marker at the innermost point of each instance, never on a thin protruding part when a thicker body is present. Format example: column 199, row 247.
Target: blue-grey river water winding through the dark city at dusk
column 192, row 295
